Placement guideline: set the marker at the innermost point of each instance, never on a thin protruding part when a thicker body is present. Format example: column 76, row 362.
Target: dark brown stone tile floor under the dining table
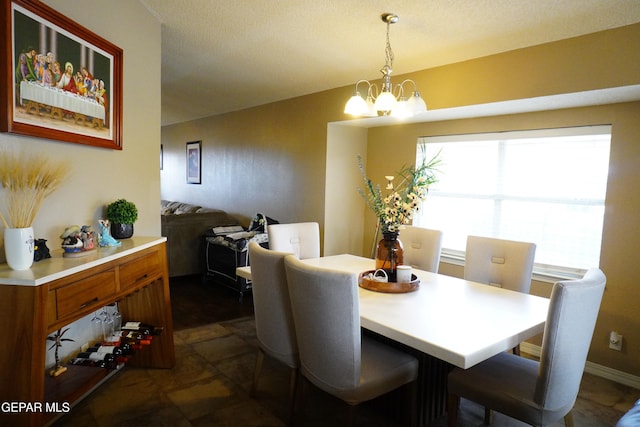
column 209, row 386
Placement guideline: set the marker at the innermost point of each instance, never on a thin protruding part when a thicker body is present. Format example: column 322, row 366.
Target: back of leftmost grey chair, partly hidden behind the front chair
column 271, row 304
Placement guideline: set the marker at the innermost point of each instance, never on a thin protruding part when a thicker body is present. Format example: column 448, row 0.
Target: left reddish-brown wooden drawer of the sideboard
column 78, row 295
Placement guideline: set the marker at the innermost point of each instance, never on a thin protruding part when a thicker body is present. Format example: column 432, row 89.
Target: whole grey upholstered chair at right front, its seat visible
column 538, row 393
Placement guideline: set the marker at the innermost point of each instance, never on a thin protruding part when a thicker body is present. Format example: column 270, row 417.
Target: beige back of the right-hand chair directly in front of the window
column 504, row 263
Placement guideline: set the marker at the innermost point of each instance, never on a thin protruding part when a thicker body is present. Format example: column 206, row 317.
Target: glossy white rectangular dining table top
column 455, row 320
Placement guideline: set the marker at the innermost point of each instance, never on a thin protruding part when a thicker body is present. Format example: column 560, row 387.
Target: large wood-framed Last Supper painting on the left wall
column 61, row 81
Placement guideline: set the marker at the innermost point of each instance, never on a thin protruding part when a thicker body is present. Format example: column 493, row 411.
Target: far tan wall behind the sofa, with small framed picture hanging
column 269, row 159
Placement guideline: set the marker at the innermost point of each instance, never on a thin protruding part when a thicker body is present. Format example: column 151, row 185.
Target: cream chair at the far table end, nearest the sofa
column 302, row 238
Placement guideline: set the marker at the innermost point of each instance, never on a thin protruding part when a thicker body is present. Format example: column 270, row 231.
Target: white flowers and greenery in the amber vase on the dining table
column 398, row 207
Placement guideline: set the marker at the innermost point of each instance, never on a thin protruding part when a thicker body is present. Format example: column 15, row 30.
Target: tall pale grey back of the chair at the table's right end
column 573, row 311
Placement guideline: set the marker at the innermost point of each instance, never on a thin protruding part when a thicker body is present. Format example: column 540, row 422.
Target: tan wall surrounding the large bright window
column 621, row 234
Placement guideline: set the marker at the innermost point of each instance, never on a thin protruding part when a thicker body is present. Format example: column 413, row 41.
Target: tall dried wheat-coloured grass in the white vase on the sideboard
column 27, row 179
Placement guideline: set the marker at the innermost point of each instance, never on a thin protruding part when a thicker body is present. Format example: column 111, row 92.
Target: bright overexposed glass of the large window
column 542, row 186
